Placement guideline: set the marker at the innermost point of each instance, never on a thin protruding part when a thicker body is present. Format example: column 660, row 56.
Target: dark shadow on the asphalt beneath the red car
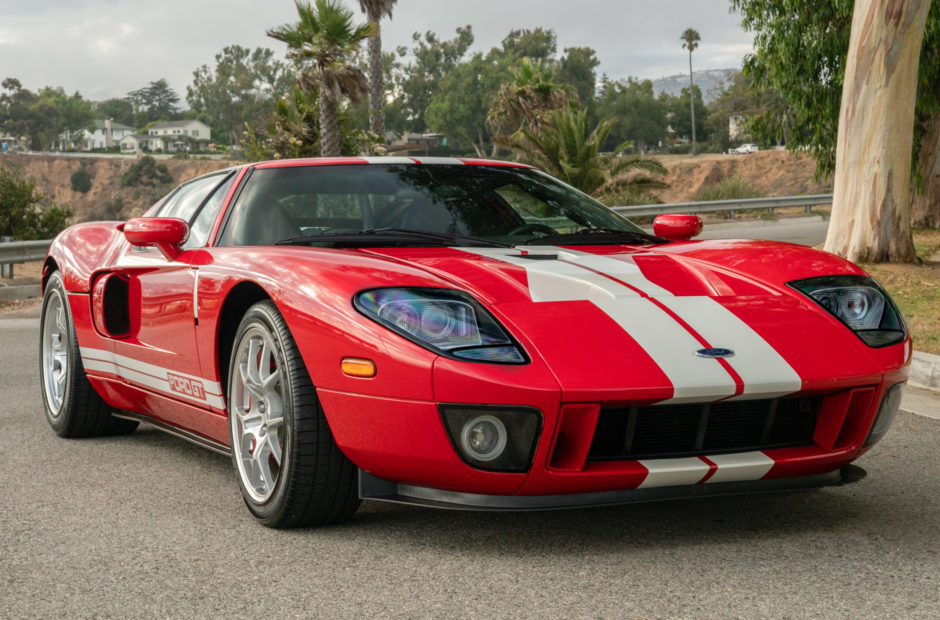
column 859, row 509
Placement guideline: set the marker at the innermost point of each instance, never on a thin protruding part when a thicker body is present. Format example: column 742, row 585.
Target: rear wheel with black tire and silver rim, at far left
column 73, row 408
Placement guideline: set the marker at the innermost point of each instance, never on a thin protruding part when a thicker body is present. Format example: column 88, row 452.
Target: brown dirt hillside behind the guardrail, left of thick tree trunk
column 774, row 173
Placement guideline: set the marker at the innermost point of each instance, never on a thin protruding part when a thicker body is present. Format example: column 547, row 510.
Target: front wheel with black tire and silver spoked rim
column 289, row 468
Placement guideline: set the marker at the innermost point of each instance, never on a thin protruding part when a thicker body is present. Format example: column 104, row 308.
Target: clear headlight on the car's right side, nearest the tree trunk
column 860, row 303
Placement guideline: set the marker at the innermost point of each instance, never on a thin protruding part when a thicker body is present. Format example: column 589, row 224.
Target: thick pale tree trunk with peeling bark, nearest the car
column 871, row 219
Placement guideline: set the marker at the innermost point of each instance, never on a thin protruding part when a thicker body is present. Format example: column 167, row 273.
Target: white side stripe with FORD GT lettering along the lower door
column 154, row 377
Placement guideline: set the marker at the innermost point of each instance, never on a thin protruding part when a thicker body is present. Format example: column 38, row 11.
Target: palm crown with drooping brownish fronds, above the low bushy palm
column 528, row 97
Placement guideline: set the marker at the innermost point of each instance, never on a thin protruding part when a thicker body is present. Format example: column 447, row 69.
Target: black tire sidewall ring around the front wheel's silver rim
column 265, row 316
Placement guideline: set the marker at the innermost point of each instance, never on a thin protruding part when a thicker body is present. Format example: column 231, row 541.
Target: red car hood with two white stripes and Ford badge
column 610, row 318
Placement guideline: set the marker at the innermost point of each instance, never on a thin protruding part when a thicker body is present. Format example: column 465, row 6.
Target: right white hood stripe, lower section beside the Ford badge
column 764, row 372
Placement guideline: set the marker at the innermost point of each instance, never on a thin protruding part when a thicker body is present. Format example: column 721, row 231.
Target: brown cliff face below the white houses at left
column 53, row 175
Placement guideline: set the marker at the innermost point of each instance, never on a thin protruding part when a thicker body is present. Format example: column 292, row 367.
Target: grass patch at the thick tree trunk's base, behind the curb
column 916, row 290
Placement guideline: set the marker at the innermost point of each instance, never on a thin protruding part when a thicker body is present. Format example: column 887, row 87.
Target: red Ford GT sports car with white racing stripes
column 462, row 333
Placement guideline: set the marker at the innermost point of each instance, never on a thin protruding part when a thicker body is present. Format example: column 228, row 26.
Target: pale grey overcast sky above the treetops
column 105, row 48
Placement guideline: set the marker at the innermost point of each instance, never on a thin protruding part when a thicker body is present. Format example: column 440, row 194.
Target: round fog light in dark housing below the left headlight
column 491, row 437
